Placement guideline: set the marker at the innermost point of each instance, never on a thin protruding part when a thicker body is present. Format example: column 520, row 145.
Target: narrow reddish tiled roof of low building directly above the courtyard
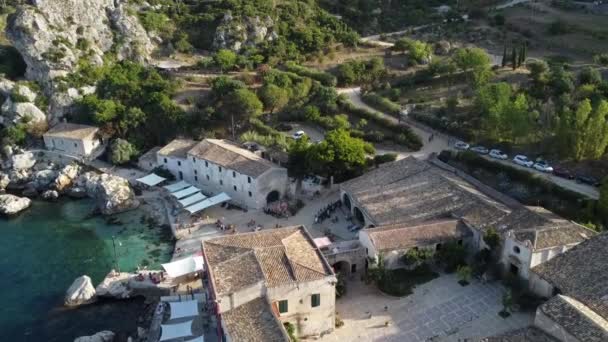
column 400, row 236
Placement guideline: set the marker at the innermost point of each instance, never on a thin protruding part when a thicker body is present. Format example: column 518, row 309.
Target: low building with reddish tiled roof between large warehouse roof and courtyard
column 391, row 242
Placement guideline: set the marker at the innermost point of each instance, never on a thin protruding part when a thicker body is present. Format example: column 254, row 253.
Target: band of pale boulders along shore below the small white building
column 27, row 175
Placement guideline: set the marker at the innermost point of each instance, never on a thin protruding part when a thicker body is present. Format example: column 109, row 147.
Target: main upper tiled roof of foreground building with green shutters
column 275, row 257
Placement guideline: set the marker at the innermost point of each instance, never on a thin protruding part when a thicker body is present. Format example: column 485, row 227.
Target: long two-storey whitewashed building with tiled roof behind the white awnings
column 217, row 166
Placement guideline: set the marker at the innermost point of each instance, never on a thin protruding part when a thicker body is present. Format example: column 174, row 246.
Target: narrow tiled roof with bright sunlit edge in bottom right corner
column 576, row 318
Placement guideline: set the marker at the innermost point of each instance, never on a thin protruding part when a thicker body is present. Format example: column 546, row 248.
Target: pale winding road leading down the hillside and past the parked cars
column 440, row 143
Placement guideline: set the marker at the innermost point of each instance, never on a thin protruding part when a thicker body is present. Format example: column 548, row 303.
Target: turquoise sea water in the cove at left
column 45, row 248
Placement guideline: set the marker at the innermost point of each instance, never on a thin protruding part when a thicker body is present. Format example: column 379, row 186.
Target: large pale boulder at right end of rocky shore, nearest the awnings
column 113, row 193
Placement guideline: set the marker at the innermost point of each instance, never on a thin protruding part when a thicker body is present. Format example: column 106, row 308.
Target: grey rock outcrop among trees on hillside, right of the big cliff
column 236, row 33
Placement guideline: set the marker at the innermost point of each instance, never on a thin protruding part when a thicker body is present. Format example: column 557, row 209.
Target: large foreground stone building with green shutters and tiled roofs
column 261, row 280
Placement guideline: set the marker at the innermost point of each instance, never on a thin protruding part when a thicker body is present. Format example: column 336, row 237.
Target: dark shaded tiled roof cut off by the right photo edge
column 581, row 273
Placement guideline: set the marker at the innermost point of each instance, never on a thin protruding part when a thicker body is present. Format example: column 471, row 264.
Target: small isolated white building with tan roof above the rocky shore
column 73, row 139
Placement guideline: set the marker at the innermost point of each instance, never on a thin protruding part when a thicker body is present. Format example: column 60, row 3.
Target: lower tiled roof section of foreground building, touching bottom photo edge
column 254, row 322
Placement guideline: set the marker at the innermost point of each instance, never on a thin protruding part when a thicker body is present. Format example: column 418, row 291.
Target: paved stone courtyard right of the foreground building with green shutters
column 440, row 310
